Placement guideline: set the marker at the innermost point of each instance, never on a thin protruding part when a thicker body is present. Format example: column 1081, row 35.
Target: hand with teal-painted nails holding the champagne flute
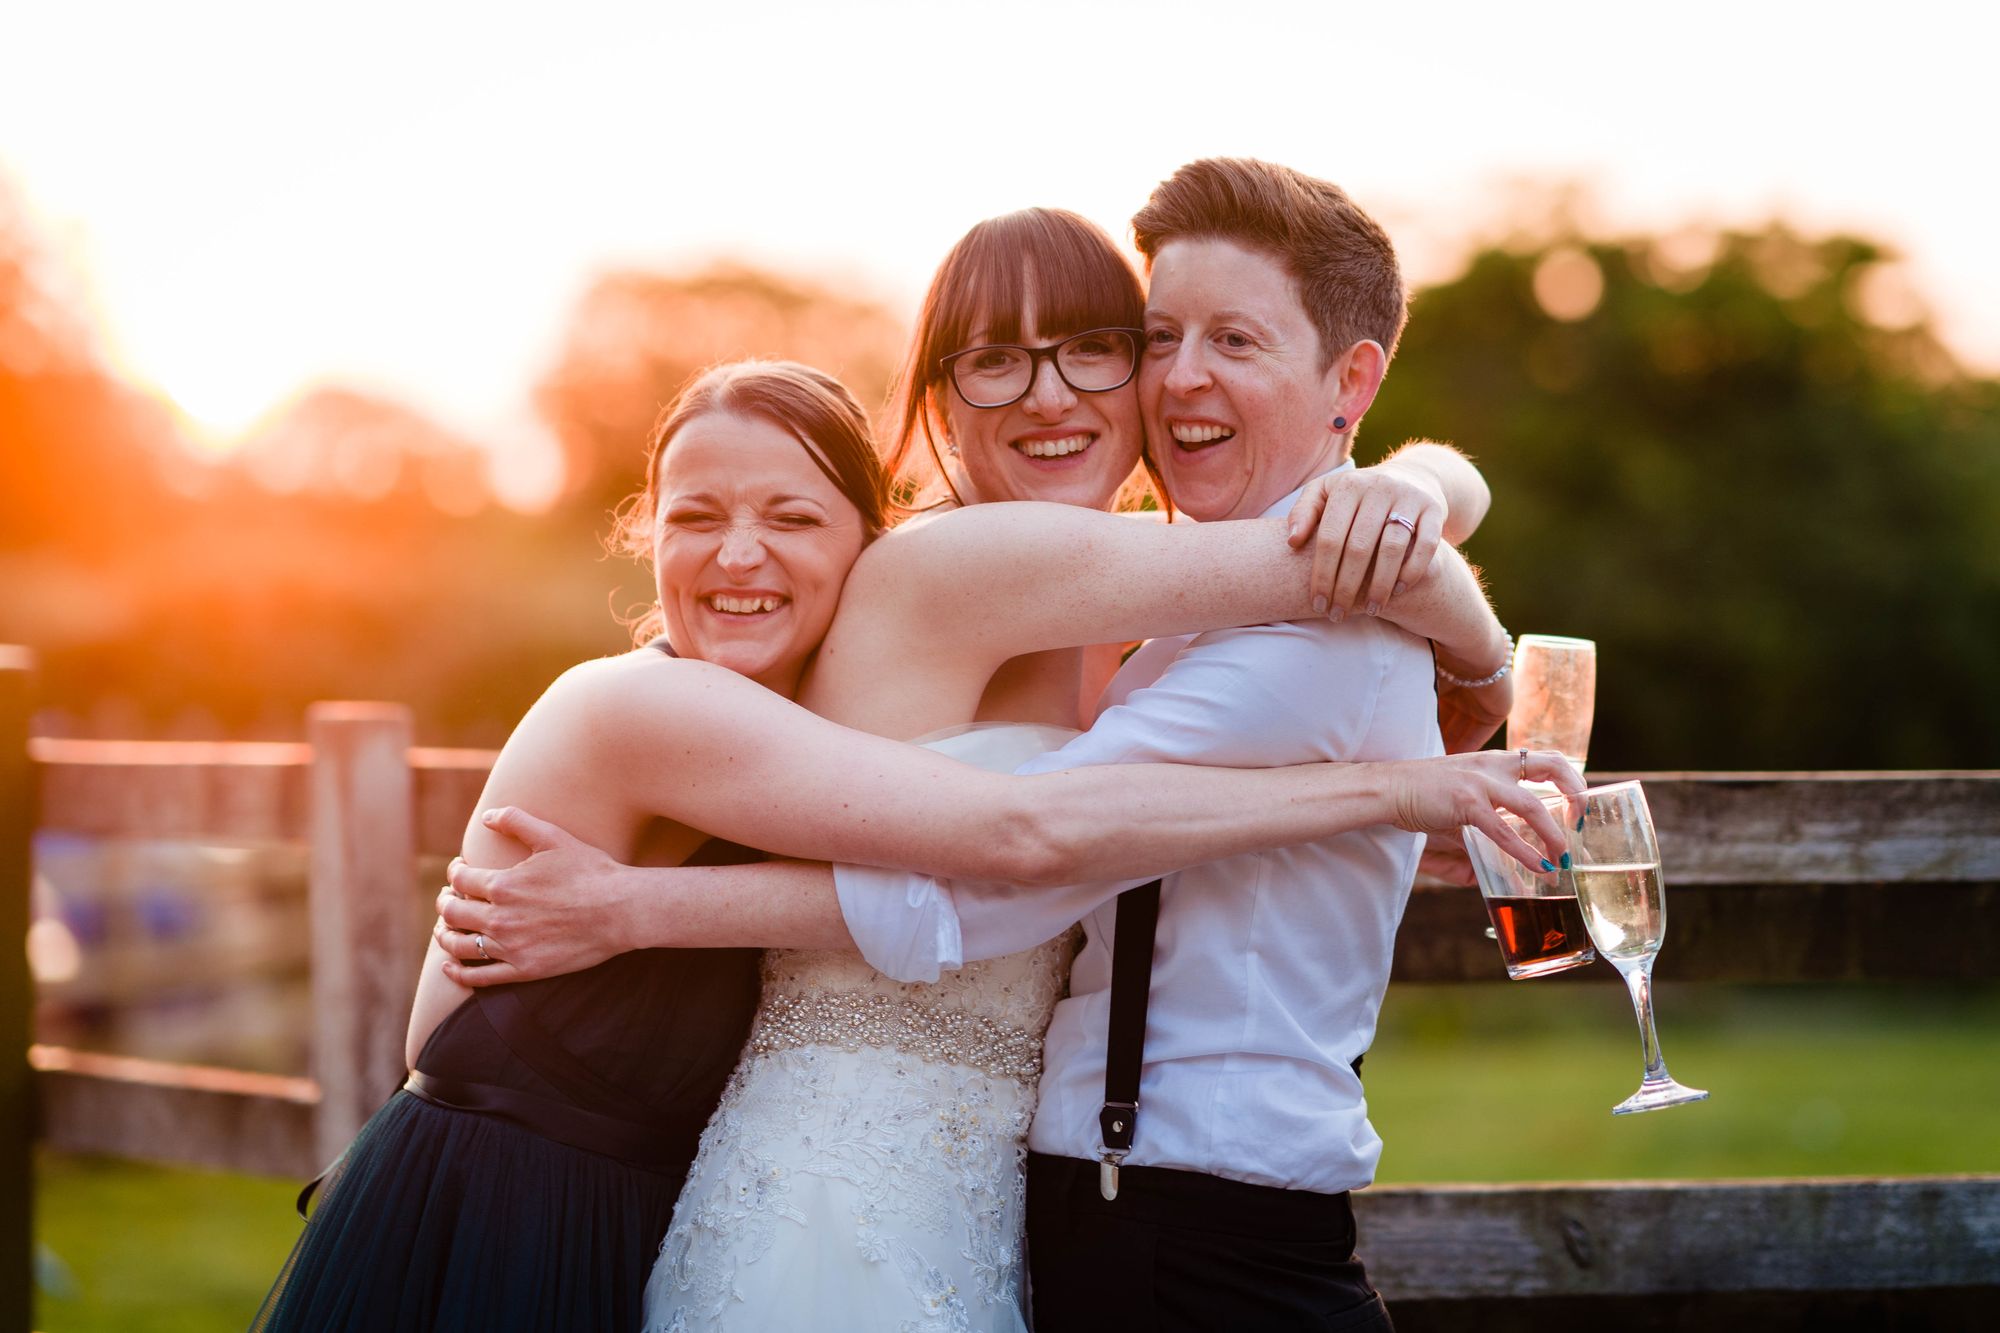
column 1443, row 796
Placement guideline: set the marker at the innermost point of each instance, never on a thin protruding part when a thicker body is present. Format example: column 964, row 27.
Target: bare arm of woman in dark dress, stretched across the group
column 645, row 738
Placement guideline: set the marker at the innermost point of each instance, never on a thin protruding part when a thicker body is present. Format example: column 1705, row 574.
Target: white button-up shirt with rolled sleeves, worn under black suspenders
column 1269, row 970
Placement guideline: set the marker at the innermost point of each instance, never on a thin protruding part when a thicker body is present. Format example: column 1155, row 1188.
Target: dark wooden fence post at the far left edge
column 17, row 998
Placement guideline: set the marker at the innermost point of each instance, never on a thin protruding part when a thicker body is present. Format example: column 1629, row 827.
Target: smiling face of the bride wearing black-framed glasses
column 1053, row 445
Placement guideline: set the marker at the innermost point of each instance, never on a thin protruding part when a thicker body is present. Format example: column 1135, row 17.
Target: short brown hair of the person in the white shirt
column 1339, row 257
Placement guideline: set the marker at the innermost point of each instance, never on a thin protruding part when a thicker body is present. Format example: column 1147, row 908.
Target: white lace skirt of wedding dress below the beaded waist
column 853, row 1190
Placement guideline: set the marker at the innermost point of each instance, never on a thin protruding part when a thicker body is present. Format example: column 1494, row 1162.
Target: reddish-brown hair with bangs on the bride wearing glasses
column 1053, row 259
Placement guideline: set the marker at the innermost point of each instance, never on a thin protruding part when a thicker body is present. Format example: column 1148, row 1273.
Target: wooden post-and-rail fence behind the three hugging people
column 1777, row 878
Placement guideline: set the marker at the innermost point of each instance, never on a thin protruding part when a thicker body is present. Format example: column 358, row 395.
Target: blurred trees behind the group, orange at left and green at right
column 1739, row 461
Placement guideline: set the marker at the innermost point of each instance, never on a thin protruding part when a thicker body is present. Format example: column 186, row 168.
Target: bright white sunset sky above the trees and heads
column 409, row 197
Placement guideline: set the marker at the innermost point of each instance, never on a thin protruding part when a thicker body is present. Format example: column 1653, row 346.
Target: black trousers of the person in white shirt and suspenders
column 1181, row 1252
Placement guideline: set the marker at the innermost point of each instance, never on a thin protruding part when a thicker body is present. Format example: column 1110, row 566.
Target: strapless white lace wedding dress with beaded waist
column 867, row 1164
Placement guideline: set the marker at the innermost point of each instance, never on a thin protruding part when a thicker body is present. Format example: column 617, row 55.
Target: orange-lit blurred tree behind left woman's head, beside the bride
column 639, row 337
